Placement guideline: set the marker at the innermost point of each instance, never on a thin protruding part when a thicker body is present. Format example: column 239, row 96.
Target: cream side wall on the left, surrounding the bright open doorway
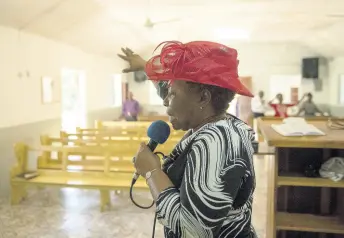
column 20, row 98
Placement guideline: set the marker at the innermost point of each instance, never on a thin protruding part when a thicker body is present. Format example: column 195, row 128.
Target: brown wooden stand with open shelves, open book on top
column 300, row 206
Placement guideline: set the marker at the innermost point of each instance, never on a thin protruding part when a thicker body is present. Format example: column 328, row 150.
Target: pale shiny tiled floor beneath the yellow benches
column 74, row 213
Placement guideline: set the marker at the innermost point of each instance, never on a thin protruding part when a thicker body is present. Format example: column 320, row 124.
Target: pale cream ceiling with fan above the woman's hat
column 102, row 26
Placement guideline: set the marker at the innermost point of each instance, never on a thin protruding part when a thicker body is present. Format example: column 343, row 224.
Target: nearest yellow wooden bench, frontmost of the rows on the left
column 103, row 180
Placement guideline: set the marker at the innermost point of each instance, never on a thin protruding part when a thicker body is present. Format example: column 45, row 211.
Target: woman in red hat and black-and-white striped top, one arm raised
column 205, row 186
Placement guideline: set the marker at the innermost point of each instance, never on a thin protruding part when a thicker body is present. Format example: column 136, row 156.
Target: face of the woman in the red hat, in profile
column 183, row 105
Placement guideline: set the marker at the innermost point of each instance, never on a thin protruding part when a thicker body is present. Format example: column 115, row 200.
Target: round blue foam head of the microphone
column 159, row 131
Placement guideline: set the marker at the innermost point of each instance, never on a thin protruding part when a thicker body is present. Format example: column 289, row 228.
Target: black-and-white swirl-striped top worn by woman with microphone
column 212, row 170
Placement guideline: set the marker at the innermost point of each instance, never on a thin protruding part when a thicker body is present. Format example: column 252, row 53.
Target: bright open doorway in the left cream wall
column 73, row 99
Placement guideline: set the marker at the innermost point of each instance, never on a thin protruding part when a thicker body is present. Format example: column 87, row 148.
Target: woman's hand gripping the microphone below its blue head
column 146, row 160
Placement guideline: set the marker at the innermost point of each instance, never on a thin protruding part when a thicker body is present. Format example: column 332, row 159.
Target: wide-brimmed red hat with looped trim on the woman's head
column 201, row 62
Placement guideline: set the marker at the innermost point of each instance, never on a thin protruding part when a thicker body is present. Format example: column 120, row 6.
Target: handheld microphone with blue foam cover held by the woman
column 158, row 132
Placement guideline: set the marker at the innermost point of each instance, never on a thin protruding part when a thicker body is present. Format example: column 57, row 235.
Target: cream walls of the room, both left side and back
column 20, row 98
